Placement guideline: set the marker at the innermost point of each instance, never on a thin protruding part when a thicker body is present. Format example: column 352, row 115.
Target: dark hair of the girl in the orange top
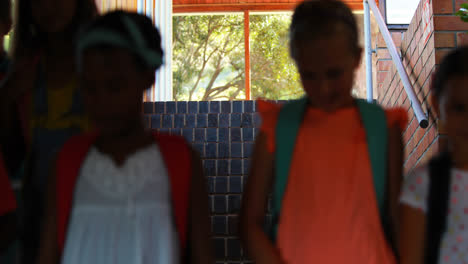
column 317, row 18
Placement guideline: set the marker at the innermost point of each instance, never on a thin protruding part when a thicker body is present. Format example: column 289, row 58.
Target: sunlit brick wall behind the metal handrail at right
column 429, row 37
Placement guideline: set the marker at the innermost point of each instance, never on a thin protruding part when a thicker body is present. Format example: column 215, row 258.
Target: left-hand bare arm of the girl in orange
column 255, row 200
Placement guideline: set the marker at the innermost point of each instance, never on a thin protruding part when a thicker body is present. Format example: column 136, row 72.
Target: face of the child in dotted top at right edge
column 454, row 111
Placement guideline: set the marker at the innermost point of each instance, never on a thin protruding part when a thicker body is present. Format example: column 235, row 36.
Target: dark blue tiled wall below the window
column 223, row 133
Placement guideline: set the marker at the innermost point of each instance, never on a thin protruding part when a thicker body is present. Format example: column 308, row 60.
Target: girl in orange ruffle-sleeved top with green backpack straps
column 334, row 162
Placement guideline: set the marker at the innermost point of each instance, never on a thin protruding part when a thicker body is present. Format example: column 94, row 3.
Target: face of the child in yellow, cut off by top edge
column 53, row 16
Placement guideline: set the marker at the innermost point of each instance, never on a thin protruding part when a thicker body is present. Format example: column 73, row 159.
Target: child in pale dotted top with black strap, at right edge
column 434, row 201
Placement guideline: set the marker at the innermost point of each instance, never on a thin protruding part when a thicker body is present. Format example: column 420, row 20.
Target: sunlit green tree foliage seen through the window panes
column 209, row 63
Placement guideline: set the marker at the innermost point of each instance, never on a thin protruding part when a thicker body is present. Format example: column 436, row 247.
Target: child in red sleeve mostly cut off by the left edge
column 7, row 210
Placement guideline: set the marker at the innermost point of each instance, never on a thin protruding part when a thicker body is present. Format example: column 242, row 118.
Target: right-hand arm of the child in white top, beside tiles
column 200, row 241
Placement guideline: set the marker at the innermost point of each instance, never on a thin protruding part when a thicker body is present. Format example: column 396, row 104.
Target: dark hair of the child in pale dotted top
column 453, row 65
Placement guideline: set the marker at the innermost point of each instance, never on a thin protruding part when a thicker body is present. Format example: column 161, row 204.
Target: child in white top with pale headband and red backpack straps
column 124, row 194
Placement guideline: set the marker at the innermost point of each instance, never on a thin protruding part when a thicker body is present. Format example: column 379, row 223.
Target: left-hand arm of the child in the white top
column 49, row 250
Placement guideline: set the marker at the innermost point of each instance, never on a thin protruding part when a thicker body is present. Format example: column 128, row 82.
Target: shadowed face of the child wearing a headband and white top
column 113, row 88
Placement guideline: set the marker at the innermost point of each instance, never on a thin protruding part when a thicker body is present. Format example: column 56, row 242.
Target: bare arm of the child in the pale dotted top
column 412, row 230
